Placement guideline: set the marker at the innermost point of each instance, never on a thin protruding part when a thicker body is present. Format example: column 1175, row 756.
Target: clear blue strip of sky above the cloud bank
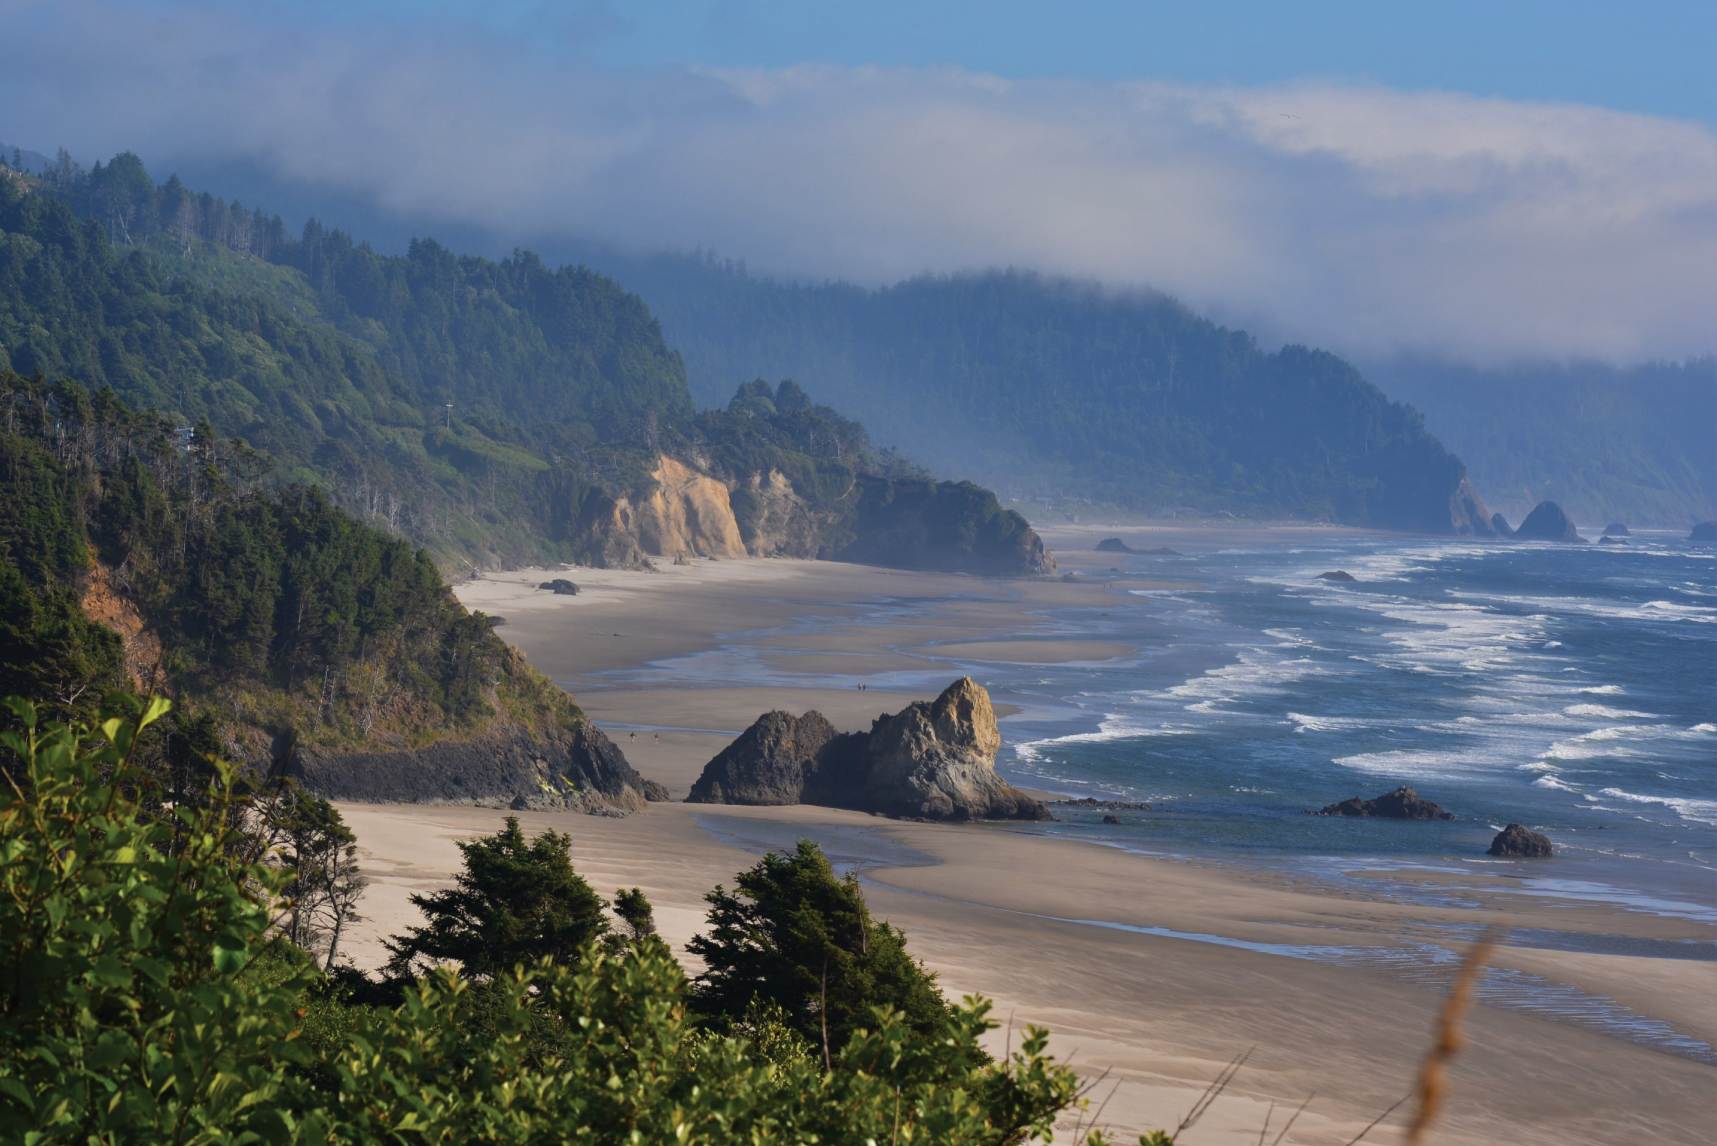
column 1649, row 56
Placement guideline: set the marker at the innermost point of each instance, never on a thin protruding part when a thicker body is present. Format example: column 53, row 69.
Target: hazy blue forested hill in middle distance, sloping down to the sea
column 1053, row 387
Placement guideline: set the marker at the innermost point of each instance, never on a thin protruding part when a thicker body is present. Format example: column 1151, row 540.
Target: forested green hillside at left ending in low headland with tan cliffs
column 494, row 413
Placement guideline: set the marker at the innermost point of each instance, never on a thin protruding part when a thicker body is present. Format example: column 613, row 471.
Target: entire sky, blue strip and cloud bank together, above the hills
column 1477, row 181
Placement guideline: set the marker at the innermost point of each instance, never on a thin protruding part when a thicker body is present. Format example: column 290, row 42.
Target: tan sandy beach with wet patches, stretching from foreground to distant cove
column 1151, row 972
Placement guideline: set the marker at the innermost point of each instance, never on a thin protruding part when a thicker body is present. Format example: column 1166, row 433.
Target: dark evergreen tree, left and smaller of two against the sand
column 516, row 903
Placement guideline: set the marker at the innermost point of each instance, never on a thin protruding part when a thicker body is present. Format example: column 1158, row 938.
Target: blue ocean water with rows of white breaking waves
column 1567, row 688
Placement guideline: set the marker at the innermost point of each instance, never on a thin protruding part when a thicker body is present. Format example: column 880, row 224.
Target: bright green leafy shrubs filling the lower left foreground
column 140, row 1003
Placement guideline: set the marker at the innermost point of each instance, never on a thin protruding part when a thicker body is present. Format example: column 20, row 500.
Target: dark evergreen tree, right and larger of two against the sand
column 801, row 939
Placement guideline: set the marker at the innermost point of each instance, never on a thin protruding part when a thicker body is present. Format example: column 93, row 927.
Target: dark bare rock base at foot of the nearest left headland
column 511, row 767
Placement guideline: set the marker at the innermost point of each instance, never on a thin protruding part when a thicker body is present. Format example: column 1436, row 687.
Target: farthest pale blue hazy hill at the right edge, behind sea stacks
column 1635, row 446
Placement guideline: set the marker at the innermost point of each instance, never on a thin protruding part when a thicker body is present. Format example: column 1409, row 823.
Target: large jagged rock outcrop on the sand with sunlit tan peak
column 935, row 760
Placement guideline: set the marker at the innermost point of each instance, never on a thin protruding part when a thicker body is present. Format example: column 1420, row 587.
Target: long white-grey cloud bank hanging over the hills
column 1364, row 219
